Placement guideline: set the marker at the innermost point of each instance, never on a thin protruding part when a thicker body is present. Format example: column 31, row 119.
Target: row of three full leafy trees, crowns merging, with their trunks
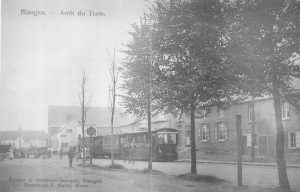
column 186, row 56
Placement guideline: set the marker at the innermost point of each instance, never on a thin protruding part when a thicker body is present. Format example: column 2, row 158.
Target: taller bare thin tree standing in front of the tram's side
column 112, row 98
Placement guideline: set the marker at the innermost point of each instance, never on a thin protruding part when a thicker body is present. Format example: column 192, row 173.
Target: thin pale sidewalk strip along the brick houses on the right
column 244, row 163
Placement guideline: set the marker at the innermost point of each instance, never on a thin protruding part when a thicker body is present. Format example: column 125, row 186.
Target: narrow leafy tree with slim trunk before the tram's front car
column 139, row 80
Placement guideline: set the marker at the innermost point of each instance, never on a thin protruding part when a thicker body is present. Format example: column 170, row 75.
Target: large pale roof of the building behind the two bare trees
column 101, row 116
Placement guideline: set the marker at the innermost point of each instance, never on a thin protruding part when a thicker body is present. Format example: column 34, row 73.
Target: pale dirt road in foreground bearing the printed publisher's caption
column 54, row 175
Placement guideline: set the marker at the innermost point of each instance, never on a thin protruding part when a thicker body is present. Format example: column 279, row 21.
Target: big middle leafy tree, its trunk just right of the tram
column 192, row 72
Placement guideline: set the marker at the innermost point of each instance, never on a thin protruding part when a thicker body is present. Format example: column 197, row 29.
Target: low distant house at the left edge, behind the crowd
column 24, row 139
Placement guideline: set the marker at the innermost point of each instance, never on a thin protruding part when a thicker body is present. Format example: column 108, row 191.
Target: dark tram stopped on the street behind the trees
column 164, row 145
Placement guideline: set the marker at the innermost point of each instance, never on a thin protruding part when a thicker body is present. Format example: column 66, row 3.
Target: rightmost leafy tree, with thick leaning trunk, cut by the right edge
column 266, row 35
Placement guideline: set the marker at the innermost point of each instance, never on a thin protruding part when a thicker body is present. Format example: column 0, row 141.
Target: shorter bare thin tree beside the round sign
column 85, row 105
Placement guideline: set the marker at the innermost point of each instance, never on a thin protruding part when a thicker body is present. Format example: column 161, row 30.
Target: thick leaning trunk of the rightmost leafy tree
column 282, row 173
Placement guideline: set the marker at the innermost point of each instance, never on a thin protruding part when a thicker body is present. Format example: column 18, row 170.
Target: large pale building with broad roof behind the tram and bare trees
column 64, row 125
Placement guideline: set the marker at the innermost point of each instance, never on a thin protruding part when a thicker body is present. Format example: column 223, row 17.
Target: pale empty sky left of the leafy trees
column 42, row 55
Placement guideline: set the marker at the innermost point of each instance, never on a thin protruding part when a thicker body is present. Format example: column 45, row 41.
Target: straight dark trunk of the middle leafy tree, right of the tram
column 193, row 143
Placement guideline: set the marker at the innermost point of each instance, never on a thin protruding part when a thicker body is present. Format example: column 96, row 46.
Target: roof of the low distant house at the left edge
column 26, row 135
